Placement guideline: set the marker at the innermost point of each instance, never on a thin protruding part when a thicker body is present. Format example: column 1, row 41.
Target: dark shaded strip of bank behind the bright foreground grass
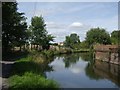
column 19, row 68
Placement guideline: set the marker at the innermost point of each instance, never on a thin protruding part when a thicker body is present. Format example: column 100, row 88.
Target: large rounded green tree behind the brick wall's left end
column 97, row 35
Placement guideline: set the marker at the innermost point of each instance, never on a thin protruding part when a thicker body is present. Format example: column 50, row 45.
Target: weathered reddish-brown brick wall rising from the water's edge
column 108, row 53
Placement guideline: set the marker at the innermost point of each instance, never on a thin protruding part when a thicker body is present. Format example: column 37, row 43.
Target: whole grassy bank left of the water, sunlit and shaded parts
column 29, row 73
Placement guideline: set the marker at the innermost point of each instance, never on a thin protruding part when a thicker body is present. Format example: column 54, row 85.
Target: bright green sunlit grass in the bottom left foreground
column 30, row 81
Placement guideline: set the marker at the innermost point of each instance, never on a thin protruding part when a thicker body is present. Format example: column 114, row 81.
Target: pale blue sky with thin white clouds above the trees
column 64, row 18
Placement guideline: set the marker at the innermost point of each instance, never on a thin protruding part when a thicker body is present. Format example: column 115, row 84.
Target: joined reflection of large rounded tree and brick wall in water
column 101, row 70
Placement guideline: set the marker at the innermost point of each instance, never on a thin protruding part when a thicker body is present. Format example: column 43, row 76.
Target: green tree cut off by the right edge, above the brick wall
column 115, row 37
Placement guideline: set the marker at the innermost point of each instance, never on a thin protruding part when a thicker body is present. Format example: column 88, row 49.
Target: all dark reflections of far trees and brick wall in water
column 94, row 70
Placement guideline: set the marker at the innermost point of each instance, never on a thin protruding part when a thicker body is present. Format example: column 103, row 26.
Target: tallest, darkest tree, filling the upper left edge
column 14, row 26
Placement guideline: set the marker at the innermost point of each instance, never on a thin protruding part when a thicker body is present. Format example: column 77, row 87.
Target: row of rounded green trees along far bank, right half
column 93, row 36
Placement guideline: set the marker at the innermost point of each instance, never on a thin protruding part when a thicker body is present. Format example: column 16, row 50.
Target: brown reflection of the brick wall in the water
column 108, row 71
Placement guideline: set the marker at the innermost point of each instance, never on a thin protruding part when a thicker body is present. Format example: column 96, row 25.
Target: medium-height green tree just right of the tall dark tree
column 39, row 34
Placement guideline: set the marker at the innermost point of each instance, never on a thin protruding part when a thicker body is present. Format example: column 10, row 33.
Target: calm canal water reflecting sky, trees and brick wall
column 81, row 71
